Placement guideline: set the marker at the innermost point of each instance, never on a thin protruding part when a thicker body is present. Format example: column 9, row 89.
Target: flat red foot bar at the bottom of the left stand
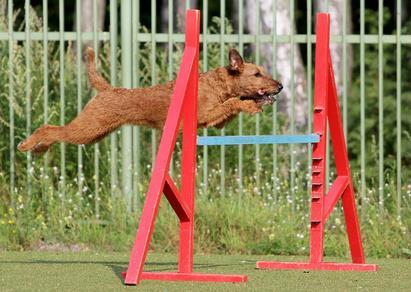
column 194, row 277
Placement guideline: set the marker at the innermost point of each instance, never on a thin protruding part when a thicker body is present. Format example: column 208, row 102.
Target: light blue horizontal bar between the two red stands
column 262, row 139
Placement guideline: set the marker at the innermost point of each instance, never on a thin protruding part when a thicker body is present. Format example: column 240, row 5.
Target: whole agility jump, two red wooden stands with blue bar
column 183, row 108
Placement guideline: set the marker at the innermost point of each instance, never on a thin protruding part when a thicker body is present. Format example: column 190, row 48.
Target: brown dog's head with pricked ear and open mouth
column 252, row 81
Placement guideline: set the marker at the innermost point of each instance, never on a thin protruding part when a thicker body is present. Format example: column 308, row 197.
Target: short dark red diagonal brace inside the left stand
column 174, row 198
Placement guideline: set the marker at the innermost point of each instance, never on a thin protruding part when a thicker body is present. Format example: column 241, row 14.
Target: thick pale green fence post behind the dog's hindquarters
column 126, row 132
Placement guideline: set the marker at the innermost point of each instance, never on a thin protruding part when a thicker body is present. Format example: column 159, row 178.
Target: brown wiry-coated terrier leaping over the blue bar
column 222, row 94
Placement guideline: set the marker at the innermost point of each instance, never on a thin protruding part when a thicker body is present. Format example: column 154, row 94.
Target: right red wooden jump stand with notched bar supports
column 326, row 107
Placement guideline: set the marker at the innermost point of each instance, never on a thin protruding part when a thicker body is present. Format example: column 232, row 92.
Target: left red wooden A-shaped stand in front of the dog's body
column 183, row 107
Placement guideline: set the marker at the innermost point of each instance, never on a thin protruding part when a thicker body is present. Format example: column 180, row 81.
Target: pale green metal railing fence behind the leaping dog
column 129, row 147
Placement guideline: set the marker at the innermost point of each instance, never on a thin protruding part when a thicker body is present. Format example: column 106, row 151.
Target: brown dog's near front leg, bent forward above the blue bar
column 228, row 109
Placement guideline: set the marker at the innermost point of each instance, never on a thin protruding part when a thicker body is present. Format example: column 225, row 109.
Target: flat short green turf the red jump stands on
column 86, row 271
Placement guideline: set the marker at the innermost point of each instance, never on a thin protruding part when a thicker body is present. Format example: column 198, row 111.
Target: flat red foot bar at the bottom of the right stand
column 317, row 266
